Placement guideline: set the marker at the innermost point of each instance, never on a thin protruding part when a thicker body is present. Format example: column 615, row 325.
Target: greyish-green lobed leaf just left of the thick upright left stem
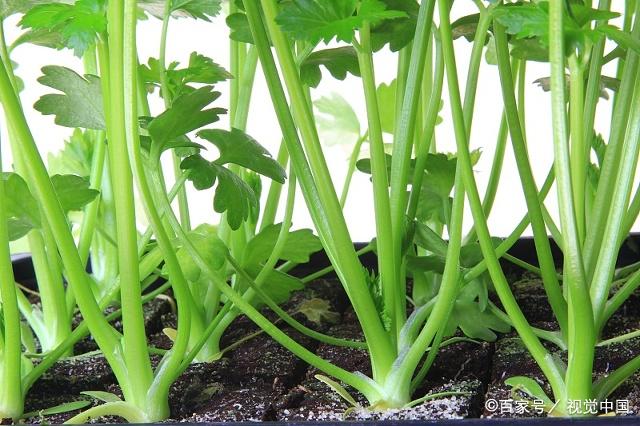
column 79, row 105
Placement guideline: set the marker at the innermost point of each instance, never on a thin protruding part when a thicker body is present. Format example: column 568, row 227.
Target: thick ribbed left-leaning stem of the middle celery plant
column 321, row 200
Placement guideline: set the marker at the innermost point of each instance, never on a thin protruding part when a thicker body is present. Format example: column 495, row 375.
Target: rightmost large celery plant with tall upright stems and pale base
column 594, row 199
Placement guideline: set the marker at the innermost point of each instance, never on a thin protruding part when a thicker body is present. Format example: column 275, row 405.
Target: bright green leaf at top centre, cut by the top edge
column 314, row 21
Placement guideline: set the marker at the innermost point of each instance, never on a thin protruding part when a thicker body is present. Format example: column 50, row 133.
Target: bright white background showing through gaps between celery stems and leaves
column 211, row 39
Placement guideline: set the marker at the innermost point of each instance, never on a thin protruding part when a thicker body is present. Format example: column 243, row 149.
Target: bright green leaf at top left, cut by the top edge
column 77, row 24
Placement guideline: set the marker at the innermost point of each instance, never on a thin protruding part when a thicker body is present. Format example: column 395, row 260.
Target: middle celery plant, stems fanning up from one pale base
column 396, row 343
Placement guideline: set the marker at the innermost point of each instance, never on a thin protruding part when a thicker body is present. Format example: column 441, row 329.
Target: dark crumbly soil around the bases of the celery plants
column 261, row 381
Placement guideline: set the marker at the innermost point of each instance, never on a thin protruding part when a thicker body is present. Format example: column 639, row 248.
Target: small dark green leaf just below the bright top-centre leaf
column 339, row 61
